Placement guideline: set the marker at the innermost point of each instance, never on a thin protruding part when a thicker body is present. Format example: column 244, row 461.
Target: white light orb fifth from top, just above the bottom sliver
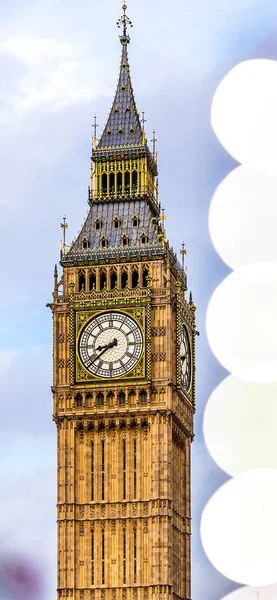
column 239, row 528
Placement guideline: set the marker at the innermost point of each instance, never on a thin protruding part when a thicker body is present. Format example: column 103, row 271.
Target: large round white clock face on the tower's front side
column 110, row 345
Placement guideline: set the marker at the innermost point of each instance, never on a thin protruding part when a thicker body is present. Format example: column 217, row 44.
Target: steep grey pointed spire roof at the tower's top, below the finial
column 123, row 127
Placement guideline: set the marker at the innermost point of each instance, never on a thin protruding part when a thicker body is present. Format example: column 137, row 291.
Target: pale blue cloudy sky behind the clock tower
column 59, row 63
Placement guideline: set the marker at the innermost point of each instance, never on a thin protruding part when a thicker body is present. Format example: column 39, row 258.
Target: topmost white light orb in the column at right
column 243, row 114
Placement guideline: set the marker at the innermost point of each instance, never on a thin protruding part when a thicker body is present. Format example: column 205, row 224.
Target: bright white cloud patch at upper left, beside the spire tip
column 54, row 76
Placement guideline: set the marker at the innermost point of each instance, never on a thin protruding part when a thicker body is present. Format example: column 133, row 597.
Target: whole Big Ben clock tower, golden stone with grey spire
column 123, row 379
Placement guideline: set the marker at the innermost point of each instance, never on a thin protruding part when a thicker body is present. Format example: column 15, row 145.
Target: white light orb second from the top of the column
column 243, row 218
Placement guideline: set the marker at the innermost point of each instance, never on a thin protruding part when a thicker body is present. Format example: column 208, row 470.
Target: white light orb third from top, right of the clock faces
column 242, row 325
